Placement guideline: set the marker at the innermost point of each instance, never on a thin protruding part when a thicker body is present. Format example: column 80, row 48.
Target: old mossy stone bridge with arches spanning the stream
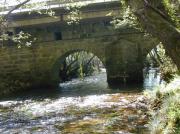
column 122, row 51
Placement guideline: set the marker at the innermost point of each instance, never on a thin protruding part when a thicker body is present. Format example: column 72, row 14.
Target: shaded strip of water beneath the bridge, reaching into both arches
column 93, row 85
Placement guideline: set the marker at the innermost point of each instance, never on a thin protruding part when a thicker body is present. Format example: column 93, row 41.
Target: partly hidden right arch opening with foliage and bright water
column 159, row 65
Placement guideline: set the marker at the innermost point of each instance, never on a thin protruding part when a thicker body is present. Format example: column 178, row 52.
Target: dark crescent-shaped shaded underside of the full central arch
column 55, row 78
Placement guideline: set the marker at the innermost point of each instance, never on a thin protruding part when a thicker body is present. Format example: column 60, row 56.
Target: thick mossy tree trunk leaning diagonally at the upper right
column 156, row 23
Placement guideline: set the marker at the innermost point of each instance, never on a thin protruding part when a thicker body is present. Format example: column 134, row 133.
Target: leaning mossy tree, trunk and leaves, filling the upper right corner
column 160, row 18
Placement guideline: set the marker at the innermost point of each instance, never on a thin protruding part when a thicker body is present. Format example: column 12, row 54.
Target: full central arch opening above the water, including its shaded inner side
column 77, row 64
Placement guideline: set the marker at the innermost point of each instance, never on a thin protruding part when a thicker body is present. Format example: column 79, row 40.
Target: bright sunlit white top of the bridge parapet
column 35, row 5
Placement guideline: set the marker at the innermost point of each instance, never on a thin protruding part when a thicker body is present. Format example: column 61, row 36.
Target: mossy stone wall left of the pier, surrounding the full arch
column 37, row 66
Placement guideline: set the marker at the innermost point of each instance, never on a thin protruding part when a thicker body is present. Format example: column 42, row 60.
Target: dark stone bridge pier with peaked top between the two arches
column 124, row 63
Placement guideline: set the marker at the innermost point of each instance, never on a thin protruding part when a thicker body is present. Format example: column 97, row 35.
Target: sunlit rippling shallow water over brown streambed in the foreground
column 119, row 113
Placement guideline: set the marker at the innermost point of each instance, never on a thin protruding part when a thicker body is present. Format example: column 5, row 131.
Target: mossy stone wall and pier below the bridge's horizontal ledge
column 38, row 66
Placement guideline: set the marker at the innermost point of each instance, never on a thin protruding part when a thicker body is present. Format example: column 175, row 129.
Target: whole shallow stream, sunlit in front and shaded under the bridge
column 78, row 107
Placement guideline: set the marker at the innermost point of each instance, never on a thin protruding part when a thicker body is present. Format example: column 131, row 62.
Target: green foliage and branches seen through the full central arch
column 79, row 65
